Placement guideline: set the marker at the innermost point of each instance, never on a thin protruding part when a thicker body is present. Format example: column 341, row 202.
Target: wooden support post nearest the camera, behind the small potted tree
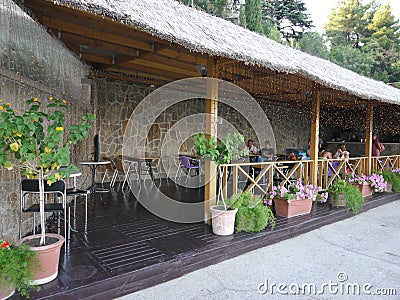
column 210, row 190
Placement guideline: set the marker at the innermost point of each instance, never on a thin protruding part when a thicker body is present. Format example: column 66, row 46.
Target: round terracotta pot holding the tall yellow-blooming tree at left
column 48, row 255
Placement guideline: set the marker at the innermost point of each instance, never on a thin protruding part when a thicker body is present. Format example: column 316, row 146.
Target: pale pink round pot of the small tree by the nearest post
column 223, row 221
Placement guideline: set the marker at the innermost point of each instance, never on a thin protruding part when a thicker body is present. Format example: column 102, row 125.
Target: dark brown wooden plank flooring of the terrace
column 125, row 248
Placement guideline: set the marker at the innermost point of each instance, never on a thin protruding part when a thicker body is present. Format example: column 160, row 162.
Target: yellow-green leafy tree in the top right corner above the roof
column 370, row 29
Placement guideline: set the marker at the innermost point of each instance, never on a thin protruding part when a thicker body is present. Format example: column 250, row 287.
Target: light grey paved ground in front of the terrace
column 360, row 254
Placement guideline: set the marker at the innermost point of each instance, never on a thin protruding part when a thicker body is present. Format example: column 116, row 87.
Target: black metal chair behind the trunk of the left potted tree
column 31, row 187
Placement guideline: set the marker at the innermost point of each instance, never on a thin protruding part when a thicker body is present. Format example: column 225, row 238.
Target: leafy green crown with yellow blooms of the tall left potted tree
column 38, row 138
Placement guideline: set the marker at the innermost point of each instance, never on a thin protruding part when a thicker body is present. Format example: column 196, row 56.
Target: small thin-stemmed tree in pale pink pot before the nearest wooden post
column 222, row 216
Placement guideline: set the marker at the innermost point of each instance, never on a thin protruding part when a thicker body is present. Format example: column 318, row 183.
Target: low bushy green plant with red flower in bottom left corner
column 17, row 269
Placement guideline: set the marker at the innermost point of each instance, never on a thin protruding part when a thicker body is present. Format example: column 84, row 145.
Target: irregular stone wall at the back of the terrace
column 117, row 100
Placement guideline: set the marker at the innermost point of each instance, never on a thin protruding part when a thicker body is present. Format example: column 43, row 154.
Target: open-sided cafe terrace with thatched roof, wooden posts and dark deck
column 106, row 56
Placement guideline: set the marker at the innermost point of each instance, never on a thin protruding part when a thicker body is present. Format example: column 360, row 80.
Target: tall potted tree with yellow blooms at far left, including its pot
column 38, row 142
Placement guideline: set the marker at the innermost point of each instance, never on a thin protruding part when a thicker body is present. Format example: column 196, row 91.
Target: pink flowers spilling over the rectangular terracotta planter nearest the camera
column 298, row 191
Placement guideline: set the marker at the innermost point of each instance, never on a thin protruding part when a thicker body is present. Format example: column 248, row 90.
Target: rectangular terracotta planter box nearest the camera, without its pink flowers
column 294, row 208
